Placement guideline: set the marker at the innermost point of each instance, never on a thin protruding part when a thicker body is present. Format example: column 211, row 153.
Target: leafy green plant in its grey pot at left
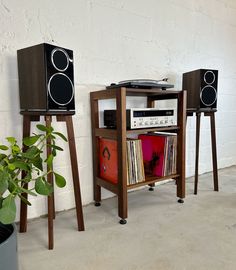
column 17, row 169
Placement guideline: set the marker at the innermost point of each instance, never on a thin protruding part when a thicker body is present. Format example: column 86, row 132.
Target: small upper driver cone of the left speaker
column 60, row 59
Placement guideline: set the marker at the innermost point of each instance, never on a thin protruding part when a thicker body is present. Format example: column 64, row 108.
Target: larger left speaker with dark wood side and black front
column 46, row 78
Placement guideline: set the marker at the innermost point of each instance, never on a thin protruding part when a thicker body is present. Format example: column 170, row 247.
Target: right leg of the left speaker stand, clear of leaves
column 75, row 172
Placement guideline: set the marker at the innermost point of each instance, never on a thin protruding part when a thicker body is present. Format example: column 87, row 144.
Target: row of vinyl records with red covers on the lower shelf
column 151, row 154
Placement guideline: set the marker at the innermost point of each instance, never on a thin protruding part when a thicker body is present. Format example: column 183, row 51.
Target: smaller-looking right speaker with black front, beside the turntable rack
column 201, row 86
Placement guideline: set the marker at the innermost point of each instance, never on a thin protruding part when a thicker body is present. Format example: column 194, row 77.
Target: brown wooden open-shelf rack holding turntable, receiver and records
column 120, row 185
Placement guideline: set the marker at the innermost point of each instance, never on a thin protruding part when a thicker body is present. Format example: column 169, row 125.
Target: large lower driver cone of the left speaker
column 61, row 89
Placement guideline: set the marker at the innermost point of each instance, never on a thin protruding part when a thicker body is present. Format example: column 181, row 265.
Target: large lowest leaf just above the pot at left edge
column 8, row 210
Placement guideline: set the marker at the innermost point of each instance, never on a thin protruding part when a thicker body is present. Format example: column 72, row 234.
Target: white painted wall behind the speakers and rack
column 117, row 40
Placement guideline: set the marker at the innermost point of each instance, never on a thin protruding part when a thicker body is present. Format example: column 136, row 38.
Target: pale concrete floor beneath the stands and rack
column 160, row 234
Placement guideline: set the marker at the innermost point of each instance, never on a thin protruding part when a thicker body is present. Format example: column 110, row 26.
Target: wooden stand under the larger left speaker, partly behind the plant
column 34, row 116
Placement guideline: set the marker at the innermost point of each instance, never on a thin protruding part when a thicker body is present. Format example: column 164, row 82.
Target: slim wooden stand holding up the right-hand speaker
column 211, row 114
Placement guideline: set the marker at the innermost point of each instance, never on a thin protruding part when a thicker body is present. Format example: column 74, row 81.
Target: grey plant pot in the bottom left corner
column 8, row 247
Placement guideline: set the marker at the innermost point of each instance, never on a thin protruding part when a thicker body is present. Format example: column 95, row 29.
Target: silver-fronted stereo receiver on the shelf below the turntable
column 143, row 118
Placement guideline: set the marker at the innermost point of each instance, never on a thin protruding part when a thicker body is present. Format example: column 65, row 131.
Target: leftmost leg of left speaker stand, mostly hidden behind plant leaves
column 23, row 206
